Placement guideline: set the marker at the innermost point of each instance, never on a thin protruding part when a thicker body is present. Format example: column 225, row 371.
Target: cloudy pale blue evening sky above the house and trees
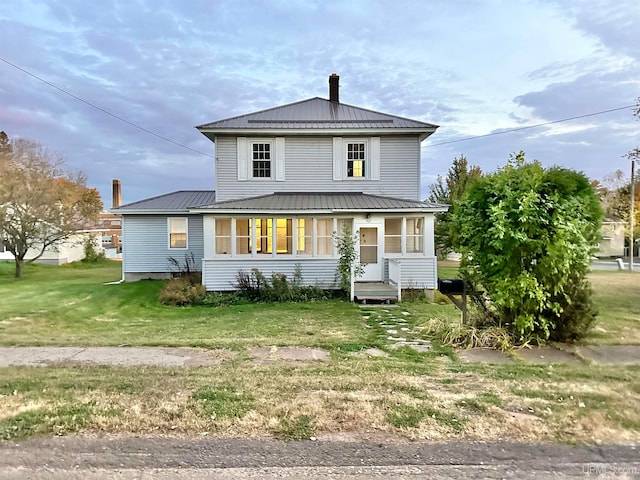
column 474, row 67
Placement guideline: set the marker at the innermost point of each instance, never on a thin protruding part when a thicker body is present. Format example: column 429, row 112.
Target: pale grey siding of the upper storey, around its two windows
column 309, row 167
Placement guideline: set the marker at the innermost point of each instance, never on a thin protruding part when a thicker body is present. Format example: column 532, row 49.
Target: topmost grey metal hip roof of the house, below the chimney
column 316, row 113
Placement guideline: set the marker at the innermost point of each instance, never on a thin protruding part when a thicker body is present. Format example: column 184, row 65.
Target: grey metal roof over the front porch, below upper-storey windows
column 331, row 202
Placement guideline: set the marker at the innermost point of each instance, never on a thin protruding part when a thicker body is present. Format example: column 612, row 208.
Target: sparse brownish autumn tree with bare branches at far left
column 41, row 204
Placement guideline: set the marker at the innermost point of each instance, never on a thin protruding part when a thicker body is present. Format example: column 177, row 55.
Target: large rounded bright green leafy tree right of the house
column 526, row 235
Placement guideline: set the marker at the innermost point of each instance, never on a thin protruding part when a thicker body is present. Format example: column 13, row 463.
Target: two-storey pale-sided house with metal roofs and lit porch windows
column 286, row 179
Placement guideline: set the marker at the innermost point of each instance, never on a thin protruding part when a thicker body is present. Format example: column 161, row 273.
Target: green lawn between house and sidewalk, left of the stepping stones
column 73, row 306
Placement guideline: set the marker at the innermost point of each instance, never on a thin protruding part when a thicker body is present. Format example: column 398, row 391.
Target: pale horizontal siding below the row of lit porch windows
column 220, row 275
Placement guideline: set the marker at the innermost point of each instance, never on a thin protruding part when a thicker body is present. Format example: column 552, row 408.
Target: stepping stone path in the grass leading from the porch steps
column 394, row 328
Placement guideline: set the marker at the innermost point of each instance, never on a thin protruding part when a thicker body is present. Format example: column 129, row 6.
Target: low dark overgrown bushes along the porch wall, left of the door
column 255, row 286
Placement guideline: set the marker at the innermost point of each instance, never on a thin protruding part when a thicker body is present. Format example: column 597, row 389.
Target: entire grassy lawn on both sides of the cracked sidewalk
column 409, row 395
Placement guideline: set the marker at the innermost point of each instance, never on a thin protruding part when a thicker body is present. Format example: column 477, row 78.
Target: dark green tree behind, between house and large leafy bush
column 450, row 191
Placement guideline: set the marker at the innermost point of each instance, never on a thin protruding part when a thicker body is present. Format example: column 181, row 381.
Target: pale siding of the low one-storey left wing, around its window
column 145, row 243
